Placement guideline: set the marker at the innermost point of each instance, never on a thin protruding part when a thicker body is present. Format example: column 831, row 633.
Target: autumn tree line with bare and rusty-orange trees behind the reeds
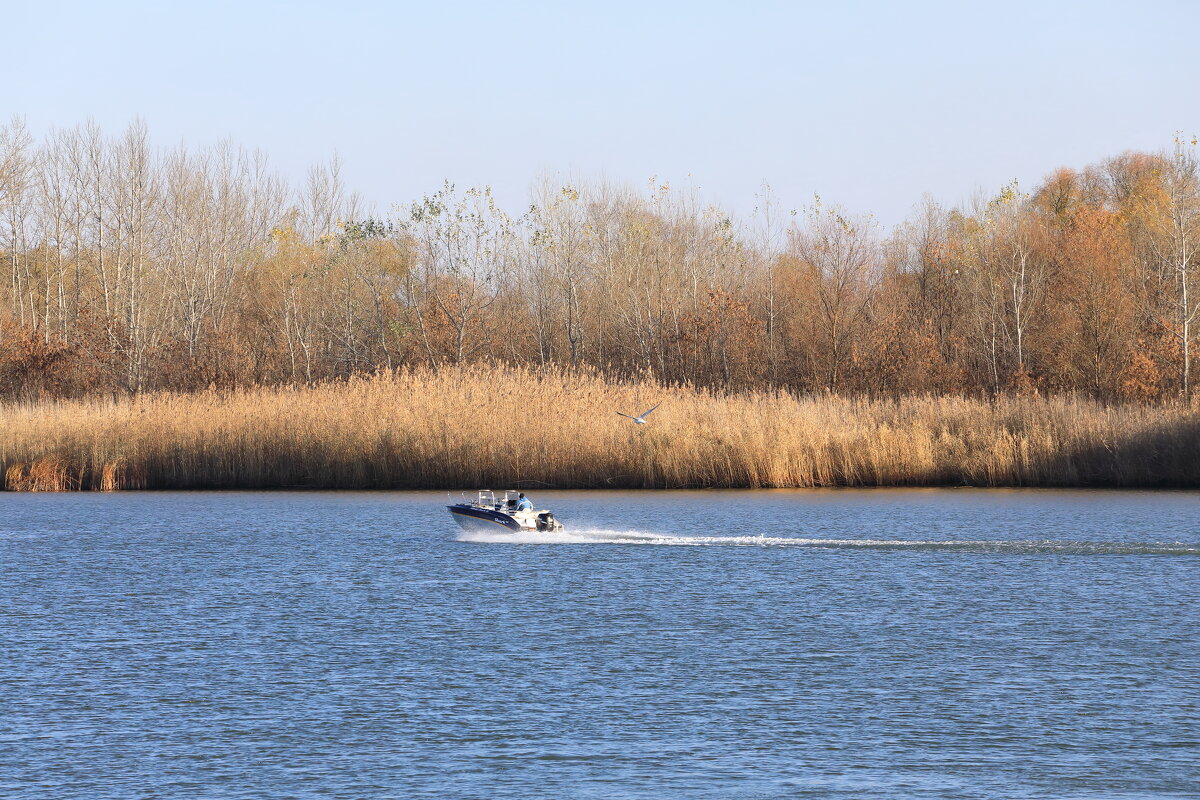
column 131, row 269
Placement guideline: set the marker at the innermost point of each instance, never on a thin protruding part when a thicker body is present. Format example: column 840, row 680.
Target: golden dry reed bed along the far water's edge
column 511, row 426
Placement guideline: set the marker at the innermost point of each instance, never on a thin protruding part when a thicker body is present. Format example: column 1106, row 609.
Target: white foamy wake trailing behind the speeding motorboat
column 601, row 537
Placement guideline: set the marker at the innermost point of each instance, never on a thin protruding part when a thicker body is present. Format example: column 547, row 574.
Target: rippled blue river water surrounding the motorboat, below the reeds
column 734, row 645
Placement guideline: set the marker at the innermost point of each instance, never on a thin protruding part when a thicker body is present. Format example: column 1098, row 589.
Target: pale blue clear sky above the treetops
column 869, row 105
